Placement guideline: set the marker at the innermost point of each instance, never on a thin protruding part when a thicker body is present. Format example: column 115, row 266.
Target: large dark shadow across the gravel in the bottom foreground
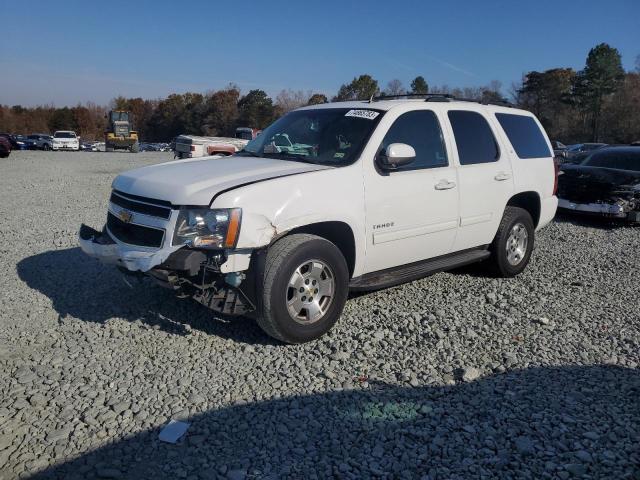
column 556, row 422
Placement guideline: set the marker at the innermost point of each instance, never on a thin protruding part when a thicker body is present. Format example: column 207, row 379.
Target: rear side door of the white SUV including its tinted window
column 485, row 178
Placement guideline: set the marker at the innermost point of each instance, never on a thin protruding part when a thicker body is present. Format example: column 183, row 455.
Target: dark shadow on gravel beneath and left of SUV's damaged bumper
column 85, row 289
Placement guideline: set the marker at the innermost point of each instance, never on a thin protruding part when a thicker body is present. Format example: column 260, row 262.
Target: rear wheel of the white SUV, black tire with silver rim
column 512, row 246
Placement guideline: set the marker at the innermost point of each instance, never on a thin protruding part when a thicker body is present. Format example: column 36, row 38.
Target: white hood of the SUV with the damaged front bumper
column 197, row 181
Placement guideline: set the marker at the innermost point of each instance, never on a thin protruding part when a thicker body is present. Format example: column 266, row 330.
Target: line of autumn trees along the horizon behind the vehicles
column 601, row 102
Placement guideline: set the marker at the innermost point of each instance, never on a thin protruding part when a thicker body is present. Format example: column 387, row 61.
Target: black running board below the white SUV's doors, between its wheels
column 413, row 271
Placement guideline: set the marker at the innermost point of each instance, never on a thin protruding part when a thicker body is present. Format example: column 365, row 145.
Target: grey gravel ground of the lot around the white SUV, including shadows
column 454, row 376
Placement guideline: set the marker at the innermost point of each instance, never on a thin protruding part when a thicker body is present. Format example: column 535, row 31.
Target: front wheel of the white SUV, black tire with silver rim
column 305, row 254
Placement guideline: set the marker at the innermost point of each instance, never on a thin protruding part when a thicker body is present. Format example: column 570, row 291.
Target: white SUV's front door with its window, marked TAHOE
column 412, row 212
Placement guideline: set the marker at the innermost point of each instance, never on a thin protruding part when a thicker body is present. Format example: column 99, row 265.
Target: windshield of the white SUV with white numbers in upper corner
column 329, row 136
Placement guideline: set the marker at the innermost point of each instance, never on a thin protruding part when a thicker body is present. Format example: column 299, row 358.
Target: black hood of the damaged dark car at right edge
column 592, row 184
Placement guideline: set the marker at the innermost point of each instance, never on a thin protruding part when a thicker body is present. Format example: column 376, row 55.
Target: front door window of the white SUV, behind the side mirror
column 421, row 130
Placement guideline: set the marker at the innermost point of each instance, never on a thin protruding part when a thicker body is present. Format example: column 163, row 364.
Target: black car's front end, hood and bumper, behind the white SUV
column 600, row 191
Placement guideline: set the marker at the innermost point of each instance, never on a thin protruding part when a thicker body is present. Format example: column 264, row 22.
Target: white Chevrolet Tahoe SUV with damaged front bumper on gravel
column 364, row 195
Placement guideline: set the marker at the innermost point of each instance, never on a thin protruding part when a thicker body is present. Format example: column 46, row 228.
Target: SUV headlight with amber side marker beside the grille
column 206, row 228
